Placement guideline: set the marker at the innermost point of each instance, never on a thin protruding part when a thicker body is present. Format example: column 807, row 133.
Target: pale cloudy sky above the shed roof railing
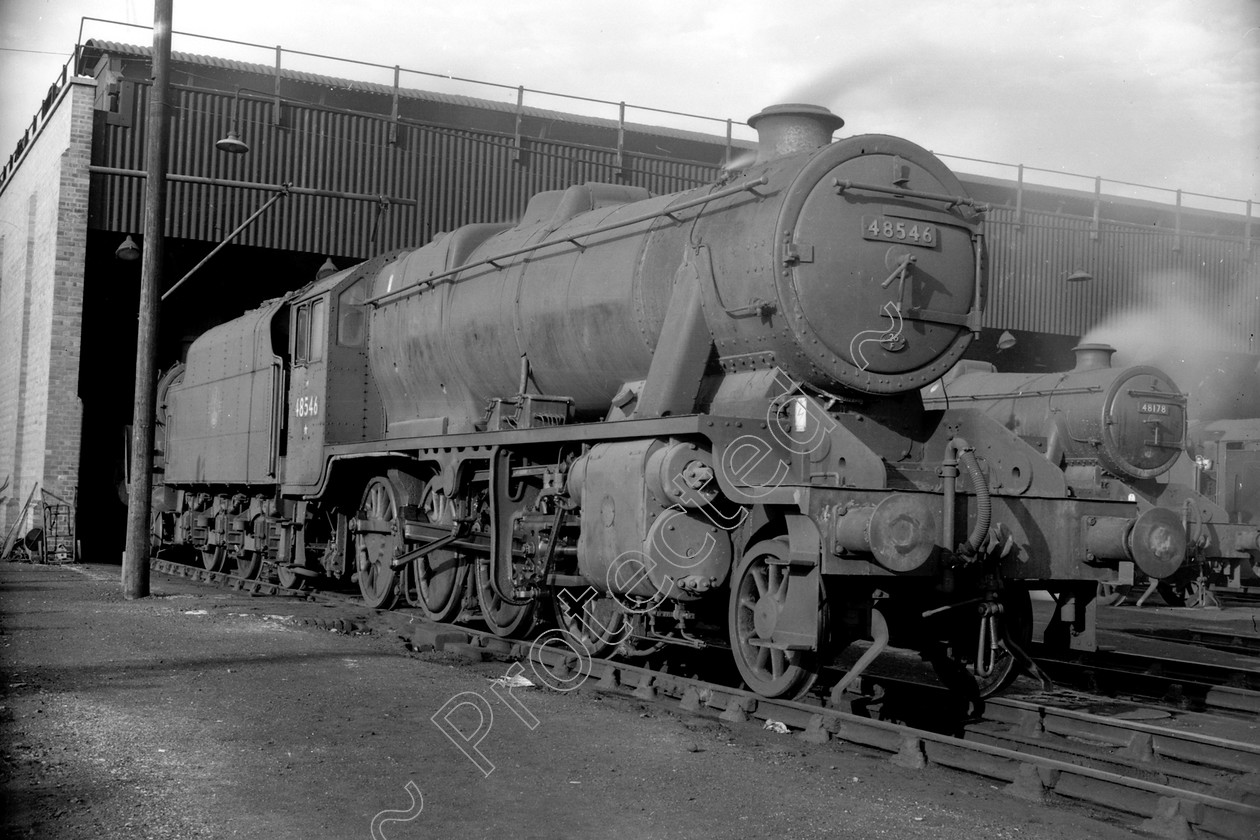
column 1156, row 93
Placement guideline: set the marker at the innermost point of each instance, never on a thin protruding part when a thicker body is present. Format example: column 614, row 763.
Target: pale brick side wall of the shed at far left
column 43, row 225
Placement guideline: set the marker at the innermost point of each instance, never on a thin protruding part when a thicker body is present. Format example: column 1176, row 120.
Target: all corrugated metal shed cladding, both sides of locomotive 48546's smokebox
column 452, row 178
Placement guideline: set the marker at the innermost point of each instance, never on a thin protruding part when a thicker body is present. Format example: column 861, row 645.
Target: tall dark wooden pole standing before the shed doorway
column 135, row 560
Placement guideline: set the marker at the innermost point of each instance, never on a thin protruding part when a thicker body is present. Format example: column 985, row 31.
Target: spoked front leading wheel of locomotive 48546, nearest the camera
column 759, row 594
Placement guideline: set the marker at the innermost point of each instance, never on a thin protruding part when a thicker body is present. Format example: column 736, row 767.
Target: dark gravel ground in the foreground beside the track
column 205, row 713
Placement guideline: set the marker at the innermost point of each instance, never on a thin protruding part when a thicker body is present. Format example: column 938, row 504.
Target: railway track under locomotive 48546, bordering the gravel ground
column 1156, row 778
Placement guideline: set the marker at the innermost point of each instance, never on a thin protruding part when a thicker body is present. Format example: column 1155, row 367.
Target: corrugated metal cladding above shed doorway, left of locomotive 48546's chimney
column 447, row 177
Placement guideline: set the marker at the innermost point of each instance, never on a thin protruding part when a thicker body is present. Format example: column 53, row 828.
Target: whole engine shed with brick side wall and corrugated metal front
column 362, row 169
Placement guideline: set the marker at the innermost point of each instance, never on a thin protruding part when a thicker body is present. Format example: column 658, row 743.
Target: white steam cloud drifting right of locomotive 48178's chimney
column 1206, row 348
